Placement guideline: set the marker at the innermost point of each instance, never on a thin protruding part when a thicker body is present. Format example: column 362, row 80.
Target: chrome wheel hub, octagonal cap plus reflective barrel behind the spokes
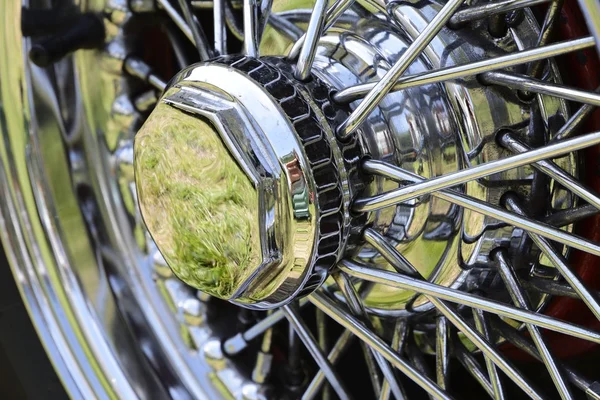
column 247, row 192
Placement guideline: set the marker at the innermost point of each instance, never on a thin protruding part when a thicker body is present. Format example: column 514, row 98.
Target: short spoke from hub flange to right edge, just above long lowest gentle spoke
column 558, row 261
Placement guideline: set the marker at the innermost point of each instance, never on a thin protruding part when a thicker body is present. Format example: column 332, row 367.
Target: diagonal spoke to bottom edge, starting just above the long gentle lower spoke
column 493, row 357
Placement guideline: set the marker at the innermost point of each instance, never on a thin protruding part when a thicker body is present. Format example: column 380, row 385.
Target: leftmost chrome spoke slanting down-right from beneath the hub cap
column 312, row 346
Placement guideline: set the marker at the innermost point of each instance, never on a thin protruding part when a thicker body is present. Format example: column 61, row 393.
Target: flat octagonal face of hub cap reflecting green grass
column 199, row 206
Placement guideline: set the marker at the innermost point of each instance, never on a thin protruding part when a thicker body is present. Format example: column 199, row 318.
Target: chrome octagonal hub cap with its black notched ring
column 232, row 194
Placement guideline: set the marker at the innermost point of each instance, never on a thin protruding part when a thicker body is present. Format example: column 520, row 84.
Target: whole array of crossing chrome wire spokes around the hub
column 462, row 317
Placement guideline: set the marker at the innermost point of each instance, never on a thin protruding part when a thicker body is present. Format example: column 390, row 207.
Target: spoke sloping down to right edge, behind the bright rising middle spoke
column 479, row 206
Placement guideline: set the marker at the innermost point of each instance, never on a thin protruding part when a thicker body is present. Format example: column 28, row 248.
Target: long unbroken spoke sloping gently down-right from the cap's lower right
column 467, row 299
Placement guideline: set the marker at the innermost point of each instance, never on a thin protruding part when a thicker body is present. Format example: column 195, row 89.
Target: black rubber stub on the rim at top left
column 87, row 33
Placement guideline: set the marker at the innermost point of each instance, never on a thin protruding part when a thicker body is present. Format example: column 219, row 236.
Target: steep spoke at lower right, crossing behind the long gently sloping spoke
column 512, row 285
